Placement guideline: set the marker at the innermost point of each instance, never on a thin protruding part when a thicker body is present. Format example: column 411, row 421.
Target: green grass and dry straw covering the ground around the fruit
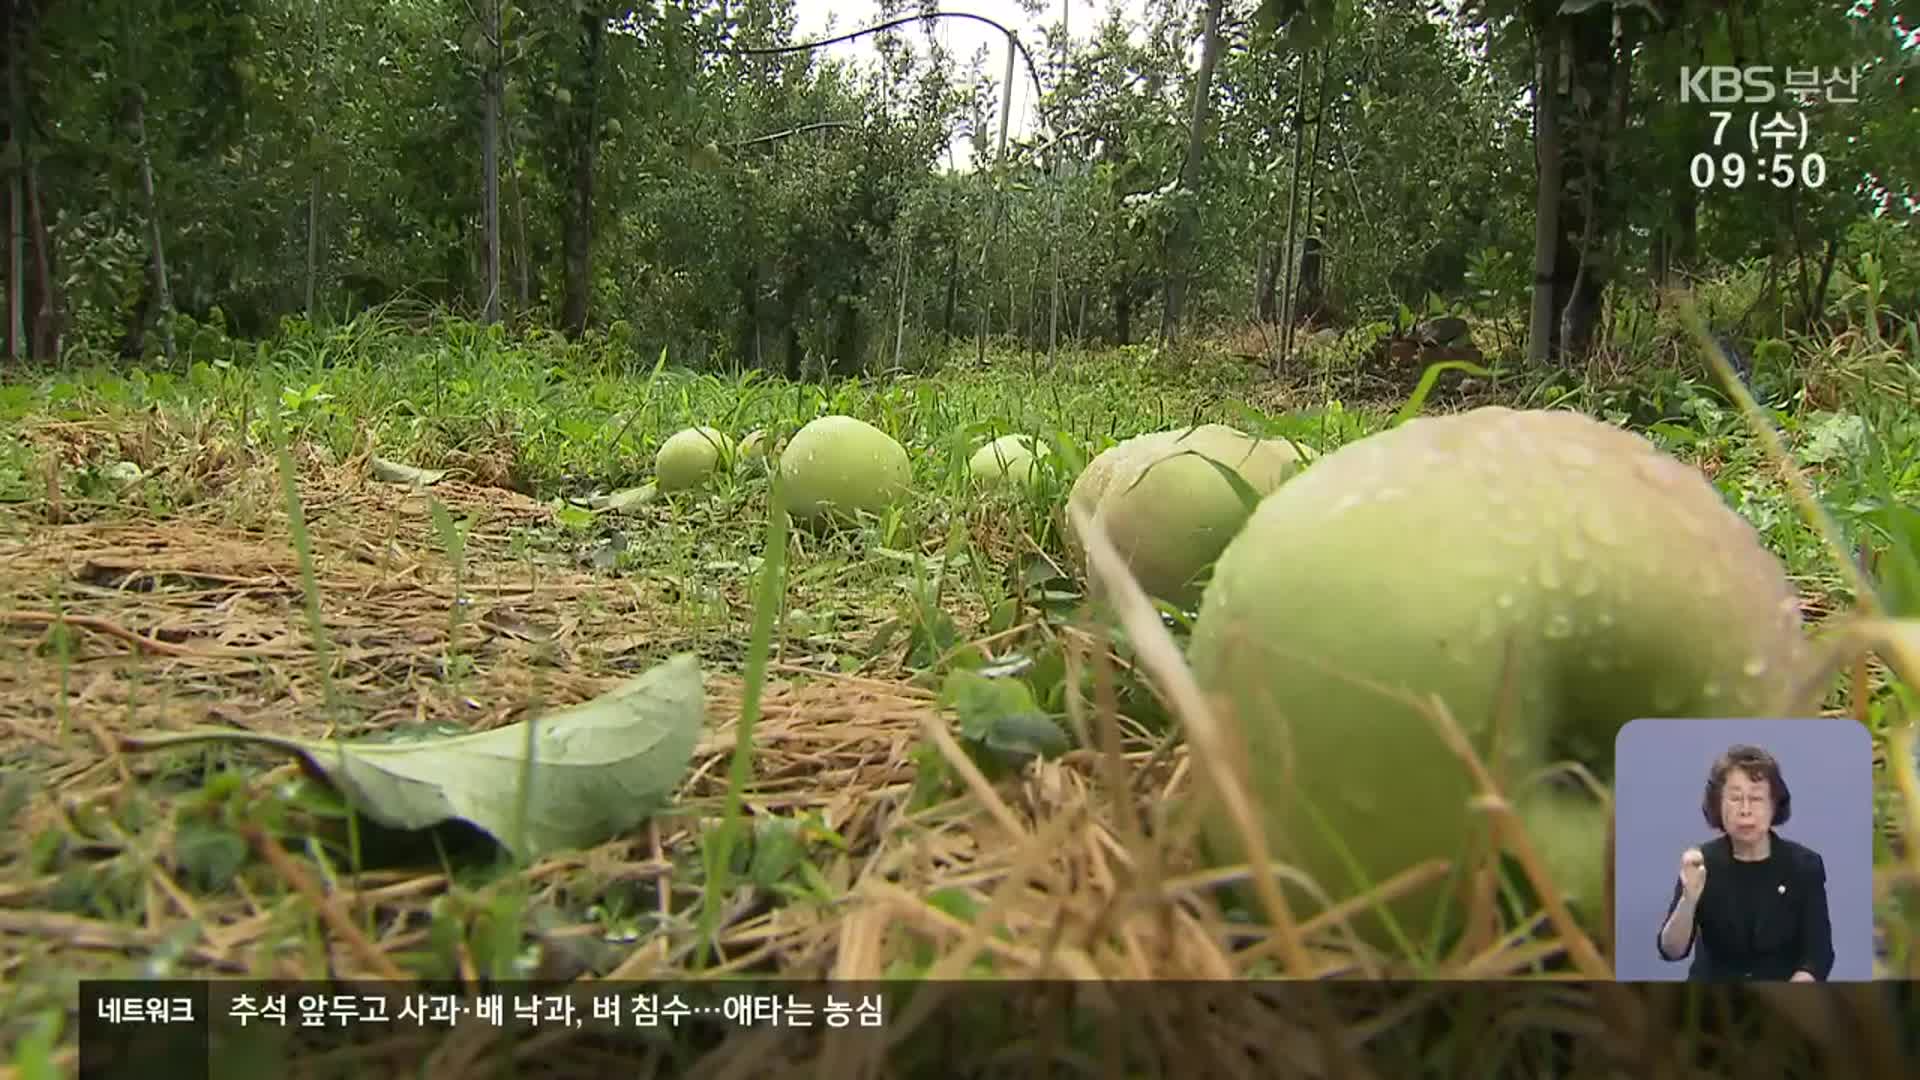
column 838, row 822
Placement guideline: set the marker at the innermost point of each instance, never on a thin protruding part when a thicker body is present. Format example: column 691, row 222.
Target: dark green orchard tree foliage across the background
column 769, row 207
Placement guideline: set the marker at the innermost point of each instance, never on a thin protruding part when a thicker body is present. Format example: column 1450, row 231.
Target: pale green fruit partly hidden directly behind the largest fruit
column 1166, row 504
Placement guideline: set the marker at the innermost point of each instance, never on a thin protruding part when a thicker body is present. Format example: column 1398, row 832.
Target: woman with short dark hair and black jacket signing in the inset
column 1752, row 898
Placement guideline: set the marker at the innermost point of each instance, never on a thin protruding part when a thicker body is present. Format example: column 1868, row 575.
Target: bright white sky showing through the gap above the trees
column 965, row 37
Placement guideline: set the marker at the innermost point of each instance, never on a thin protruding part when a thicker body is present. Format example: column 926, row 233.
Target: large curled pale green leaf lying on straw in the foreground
column 602, row 768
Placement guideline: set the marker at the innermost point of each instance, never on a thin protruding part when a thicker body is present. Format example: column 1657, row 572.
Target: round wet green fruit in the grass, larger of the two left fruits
column 838, row 468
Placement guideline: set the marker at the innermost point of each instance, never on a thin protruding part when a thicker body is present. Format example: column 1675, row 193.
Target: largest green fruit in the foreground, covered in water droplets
column 1598, row 577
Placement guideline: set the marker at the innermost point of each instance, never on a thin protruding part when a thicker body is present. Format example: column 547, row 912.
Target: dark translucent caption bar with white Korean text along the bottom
column 216, row 1029
